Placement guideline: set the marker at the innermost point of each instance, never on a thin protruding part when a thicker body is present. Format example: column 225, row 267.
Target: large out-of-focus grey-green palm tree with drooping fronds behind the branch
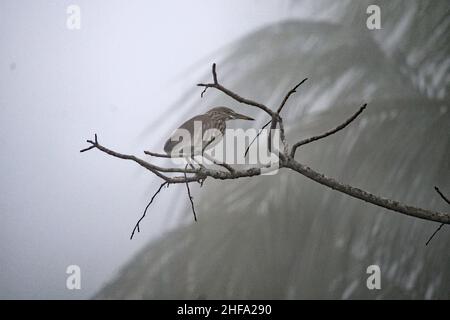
column 284, row 236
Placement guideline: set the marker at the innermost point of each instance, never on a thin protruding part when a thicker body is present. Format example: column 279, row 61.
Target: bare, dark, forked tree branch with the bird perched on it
column 286, row 161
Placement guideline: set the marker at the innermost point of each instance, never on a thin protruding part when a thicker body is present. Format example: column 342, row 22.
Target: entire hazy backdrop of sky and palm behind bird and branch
column 129, row 75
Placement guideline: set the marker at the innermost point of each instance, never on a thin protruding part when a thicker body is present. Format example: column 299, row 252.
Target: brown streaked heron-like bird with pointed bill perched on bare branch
column 203, row 131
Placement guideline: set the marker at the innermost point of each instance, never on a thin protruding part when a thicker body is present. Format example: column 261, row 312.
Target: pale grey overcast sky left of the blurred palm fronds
column 57, row 88
